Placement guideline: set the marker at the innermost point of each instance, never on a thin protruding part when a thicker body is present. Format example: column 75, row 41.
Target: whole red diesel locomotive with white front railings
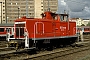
column 51, row 30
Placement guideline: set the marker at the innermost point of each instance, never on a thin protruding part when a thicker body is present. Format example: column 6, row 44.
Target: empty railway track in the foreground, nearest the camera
column 56, row 54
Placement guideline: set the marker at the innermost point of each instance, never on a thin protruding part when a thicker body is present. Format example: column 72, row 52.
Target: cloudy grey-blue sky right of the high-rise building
column 76, row 8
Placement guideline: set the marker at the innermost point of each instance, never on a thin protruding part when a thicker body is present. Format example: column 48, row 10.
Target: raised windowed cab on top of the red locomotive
column 53, row 16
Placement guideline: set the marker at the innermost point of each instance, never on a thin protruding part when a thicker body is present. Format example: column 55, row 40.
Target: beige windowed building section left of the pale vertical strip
column 17, row 8
